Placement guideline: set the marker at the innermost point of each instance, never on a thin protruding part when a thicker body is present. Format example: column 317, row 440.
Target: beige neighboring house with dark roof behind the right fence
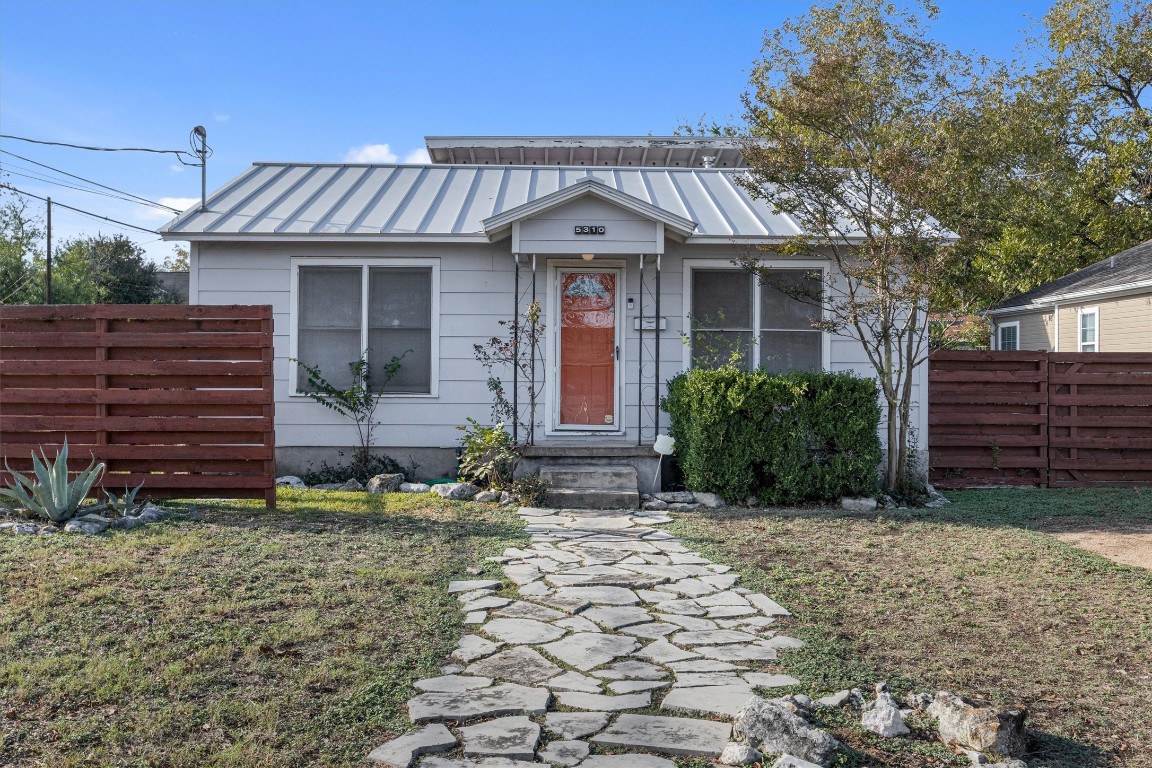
column 1104, row 308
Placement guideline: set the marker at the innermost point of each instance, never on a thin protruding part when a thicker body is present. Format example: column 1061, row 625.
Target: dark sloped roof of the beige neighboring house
column 1127, row 270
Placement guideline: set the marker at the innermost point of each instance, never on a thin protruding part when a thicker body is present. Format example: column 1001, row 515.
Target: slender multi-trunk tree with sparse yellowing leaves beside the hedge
column 853, row 121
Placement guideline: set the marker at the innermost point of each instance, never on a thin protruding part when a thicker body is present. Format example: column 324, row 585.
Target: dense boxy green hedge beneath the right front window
column 782, row 438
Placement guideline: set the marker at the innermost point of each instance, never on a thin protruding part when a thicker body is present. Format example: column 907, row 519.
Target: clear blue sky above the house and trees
column 340, row 81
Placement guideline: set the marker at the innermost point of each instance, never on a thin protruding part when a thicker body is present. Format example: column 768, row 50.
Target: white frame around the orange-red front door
column 557, row 269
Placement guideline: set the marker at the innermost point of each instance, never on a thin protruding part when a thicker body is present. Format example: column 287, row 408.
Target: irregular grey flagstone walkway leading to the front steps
column 619, row 637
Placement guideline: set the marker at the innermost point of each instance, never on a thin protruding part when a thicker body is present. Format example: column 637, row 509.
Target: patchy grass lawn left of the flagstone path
column 231, row 636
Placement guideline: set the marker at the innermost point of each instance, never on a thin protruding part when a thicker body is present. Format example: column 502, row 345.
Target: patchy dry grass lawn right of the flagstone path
column 971, row 598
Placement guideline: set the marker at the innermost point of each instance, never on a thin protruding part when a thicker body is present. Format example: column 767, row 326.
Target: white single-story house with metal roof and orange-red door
column 627, row 244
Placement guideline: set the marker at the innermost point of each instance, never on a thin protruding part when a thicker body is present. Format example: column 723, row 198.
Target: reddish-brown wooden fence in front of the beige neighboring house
column 1040, row 419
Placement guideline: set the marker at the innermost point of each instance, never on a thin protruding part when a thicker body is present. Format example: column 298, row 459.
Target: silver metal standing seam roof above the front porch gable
column 450, row 202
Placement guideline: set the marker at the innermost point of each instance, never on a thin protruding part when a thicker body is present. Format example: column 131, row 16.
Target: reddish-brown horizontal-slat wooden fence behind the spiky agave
column 178, row 398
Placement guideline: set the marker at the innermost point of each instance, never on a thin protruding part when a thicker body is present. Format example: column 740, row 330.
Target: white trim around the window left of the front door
column 365, row 264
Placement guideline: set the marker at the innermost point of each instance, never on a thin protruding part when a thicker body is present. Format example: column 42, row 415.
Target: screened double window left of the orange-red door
column 343, row 310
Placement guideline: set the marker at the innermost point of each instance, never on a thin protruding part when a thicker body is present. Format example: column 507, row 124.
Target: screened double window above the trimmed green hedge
column 737, row 318
